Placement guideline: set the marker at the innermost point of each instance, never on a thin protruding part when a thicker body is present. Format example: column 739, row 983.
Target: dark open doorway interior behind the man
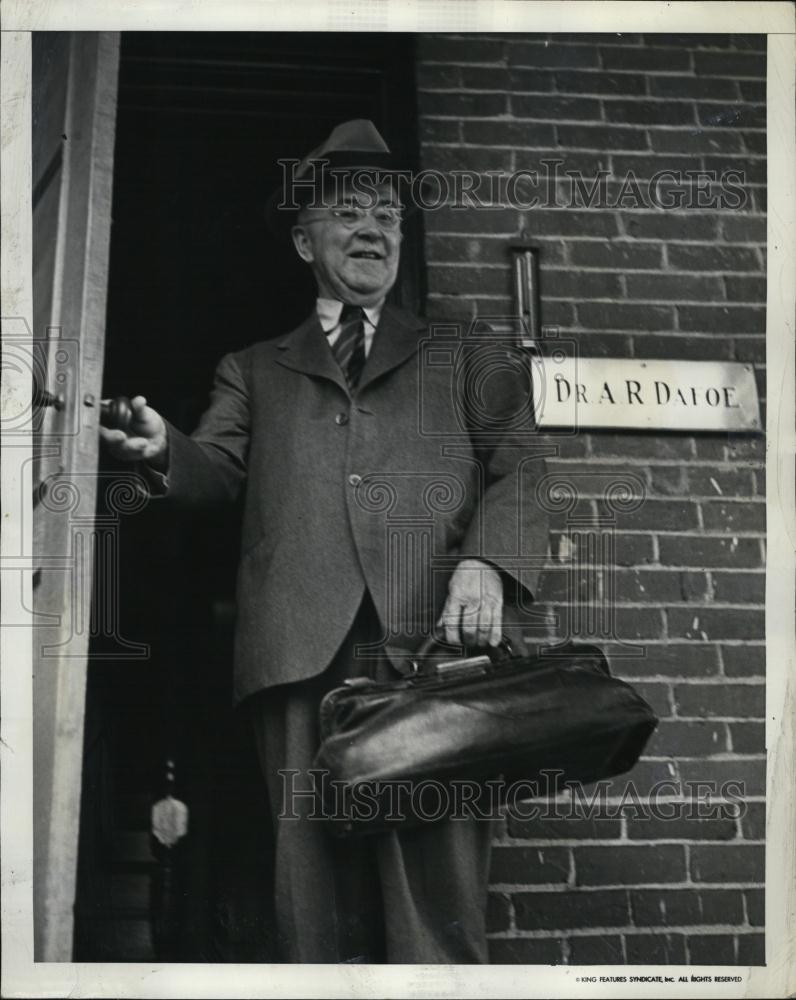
column 194, row 273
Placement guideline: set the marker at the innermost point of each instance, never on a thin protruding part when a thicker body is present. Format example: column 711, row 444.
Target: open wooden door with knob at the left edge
column 77, row 283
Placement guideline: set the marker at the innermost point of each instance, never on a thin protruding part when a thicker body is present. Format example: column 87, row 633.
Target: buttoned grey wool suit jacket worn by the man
column 432, row 459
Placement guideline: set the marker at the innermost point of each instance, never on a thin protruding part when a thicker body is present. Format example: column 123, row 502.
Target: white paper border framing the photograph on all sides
column 21, row 977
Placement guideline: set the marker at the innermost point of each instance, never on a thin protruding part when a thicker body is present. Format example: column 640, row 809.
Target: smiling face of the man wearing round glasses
column 352, row 247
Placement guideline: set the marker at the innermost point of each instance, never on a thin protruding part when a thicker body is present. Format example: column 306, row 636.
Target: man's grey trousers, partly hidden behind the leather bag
column 411, row 896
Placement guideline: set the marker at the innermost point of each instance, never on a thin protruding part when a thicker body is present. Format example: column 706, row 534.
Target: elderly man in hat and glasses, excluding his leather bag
column 343, row 435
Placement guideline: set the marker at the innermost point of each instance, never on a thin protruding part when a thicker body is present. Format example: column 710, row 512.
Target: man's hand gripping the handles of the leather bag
column 473, row 612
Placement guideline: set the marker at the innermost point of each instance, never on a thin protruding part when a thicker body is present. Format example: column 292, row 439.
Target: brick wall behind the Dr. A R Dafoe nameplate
column 633, row 281
